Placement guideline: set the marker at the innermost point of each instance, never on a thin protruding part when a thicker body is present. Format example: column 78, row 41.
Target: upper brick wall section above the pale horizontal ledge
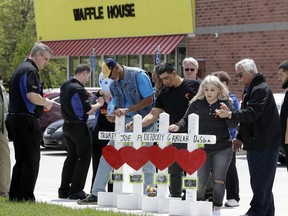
column 236, row 12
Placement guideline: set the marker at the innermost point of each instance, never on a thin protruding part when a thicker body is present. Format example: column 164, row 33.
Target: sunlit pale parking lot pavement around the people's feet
column 51, row 166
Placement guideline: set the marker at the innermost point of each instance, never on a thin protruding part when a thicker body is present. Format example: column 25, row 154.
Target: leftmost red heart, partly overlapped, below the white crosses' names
column 112, row 156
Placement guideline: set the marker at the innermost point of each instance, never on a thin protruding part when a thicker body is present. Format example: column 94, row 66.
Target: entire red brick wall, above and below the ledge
column 267, row 48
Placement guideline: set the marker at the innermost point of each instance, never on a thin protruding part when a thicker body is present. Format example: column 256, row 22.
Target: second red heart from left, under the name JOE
column 135, row 158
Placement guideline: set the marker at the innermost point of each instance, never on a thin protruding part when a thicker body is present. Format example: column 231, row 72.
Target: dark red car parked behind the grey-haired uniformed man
column 54, row 113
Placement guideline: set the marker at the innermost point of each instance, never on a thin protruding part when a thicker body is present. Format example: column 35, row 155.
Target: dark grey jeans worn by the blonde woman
column 217, row 163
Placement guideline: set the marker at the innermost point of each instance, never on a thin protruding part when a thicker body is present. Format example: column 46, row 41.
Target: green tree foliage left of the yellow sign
column 17, row 34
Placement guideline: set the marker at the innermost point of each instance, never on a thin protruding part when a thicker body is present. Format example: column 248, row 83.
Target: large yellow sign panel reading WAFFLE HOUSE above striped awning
column 87, row 19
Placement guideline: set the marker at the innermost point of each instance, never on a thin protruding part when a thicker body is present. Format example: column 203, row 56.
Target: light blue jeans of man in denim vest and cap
column 104, row 169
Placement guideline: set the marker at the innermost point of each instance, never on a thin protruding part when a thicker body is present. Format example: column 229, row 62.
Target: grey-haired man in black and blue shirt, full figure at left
column 26, row 104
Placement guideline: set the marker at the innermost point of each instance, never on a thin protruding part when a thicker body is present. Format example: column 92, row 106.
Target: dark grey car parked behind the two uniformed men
column 53, row 135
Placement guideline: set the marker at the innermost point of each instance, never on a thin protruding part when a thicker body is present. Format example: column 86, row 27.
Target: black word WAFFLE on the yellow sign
column 88, row 13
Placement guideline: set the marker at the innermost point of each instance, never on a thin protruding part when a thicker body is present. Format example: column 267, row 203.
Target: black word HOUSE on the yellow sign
column 120, row 11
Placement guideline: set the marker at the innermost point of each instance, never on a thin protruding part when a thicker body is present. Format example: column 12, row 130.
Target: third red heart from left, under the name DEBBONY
column 162, row 158
